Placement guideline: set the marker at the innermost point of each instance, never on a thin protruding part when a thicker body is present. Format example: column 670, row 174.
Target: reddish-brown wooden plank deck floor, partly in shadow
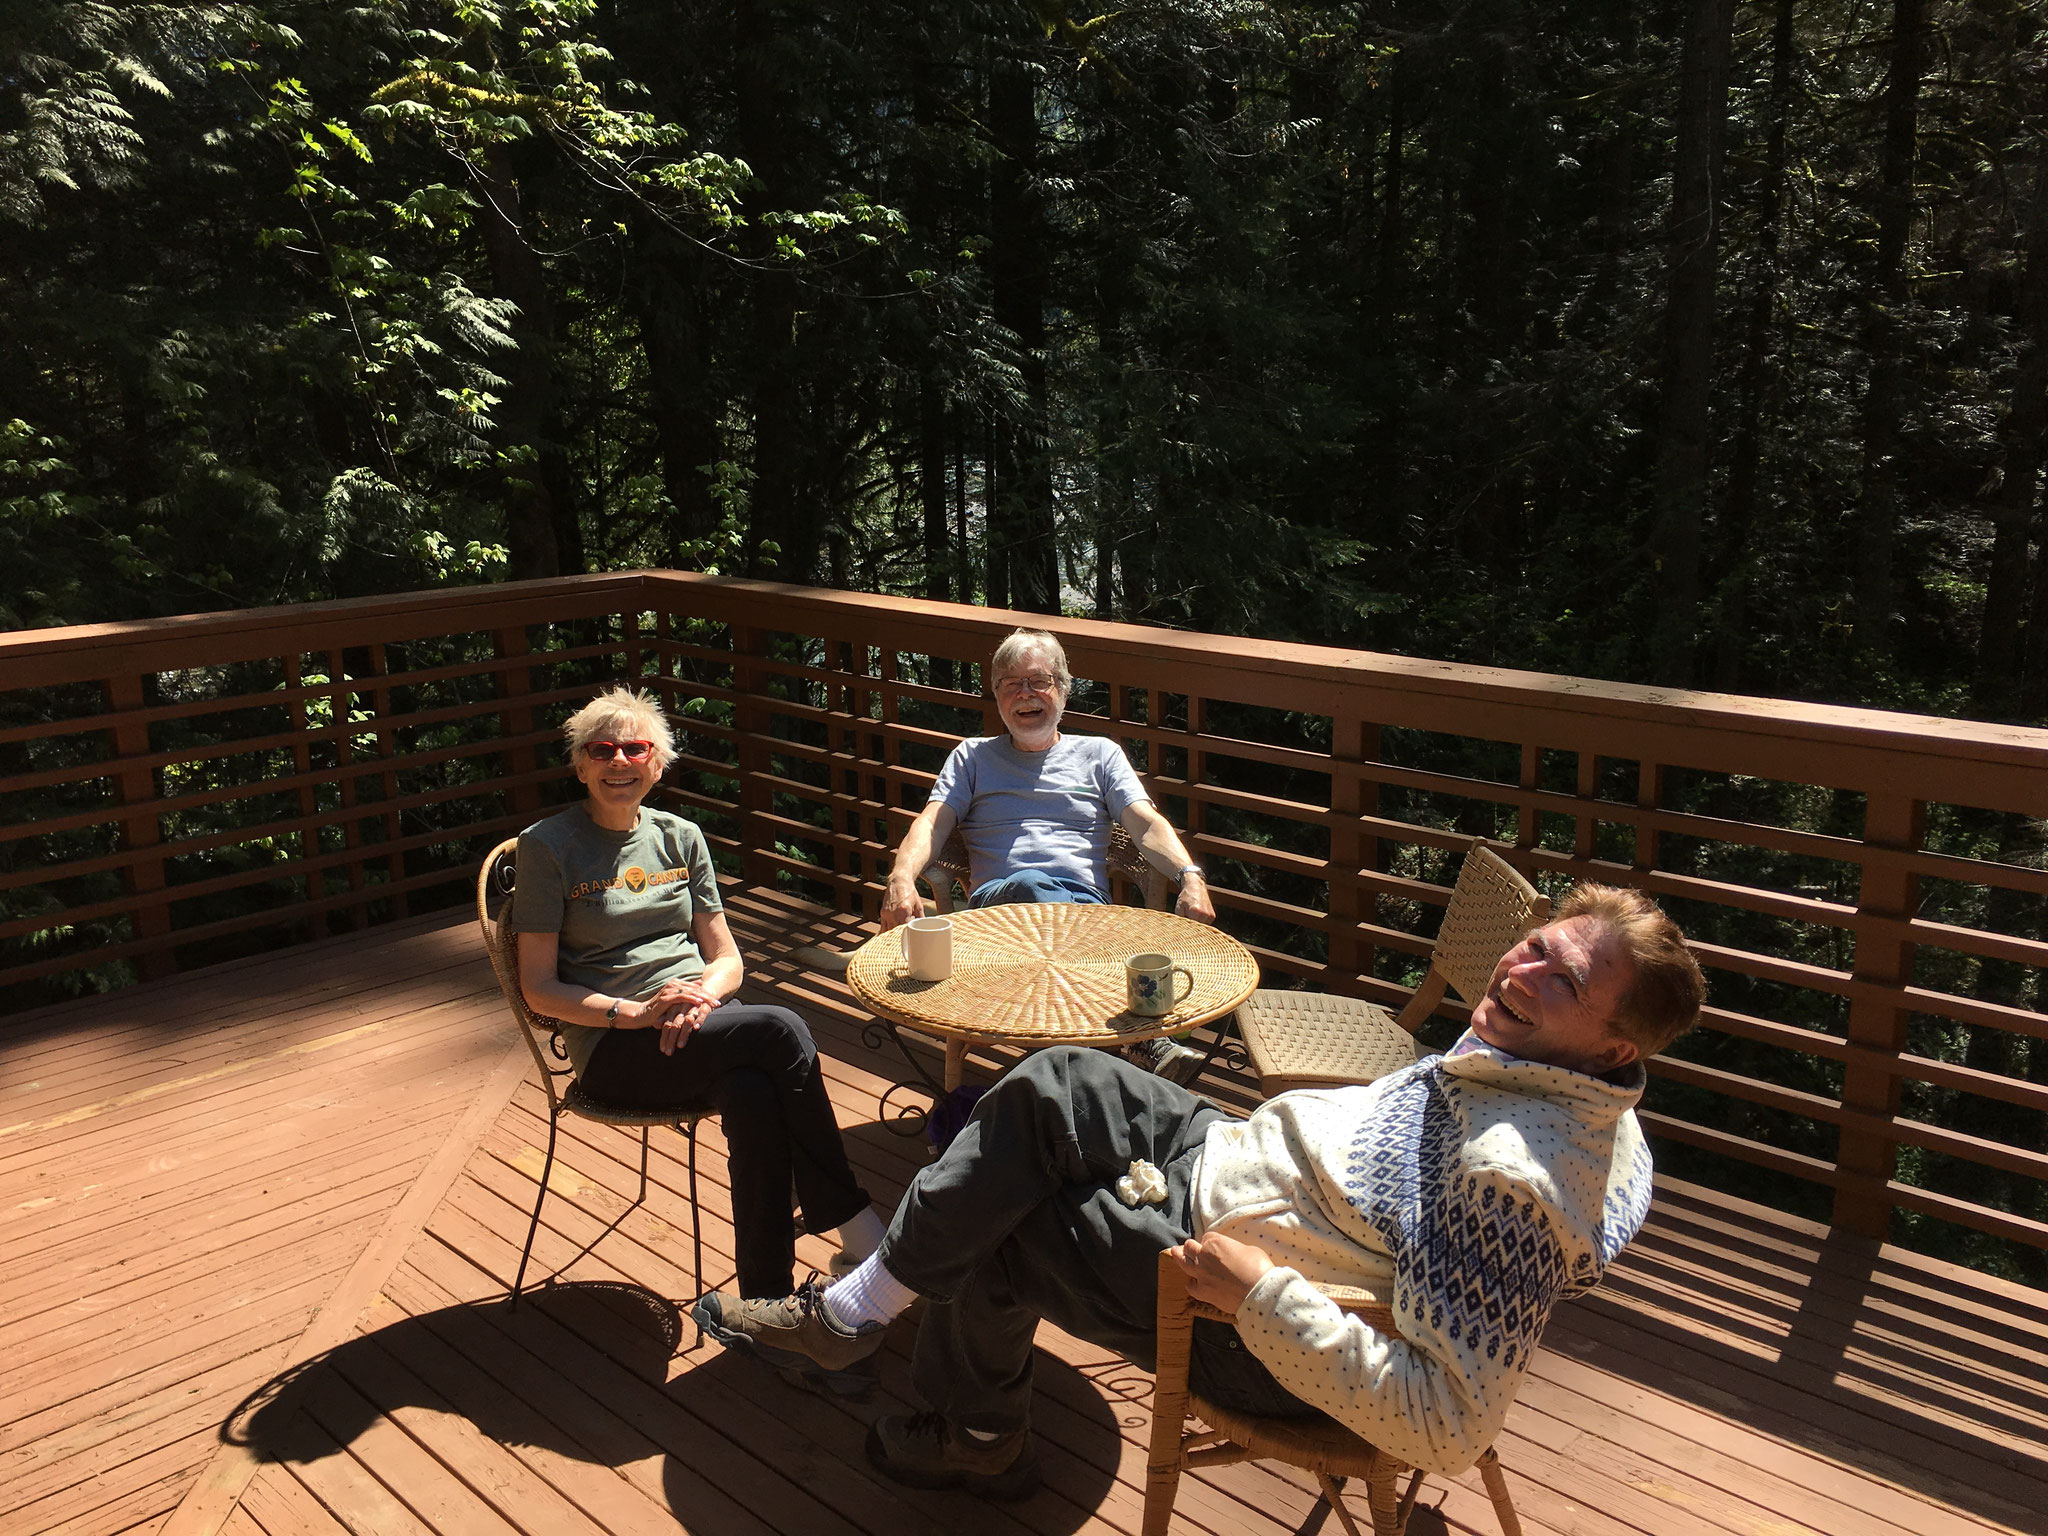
column 331, row 1156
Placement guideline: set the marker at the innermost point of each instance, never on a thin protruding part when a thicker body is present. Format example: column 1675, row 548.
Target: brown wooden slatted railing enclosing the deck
column 1867, row 890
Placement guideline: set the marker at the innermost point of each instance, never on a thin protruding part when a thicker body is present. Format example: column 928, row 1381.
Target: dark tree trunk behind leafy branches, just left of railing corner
column 542, row 529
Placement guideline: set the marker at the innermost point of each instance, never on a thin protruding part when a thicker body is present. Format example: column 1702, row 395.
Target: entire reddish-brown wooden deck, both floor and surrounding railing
column 269, row 1140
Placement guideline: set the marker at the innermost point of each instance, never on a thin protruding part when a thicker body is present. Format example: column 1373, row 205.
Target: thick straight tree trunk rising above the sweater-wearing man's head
column 1689, row 355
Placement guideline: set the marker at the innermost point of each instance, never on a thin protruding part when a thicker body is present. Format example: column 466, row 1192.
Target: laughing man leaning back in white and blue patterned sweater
column 1476, row 1191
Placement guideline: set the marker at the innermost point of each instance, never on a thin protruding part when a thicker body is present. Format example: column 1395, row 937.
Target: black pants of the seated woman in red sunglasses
column 759, row 1070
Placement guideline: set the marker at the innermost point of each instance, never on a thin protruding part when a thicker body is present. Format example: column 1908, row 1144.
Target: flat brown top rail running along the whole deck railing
column 1826, row 744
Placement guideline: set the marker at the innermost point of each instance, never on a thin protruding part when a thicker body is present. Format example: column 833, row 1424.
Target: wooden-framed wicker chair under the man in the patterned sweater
column 1320, row 1445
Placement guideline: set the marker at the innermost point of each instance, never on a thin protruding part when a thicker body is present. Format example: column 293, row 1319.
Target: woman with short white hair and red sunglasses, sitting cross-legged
column 624, row 941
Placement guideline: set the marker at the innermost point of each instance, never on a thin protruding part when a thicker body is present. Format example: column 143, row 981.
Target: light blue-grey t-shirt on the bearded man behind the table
column 1039, row 810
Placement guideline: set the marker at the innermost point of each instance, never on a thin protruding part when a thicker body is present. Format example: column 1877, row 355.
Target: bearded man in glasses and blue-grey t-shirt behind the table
column 1035, row 812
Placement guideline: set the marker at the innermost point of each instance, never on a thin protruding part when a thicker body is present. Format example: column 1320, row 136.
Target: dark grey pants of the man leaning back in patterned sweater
column 1021, row 1222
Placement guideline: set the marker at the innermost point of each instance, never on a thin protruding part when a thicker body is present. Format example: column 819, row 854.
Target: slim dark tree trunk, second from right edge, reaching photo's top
column 1877, row 517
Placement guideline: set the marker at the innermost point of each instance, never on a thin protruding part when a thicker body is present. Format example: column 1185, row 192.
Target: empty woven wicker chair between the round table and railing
column 1304, row 1039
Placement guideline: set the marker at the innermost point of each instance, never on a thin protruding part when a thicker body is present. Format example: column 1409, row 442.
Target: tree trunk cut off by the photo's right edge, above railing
column 2026, row 439
